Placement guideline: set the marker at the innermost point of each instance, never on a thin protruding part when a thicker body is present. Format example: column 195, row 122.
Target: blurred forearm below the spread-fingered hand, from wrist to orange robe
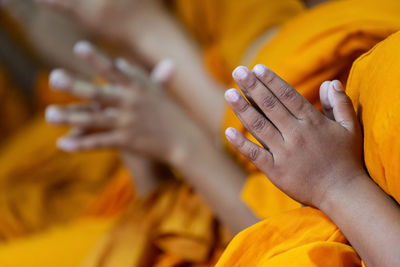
column 219, row 181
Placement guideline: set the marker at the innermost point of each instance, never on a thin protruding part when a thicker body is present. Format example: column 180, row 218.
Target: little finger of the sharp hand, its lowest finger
column 260, row 157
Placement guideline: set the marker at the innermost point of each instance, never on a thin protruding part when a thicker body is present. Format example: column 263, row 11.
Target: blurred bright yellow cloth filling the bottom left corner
column 61, row 246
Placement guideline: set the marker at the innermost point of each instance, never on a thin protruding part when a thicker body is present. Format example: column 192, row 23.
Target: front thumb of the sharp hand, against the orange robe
column 343, row 109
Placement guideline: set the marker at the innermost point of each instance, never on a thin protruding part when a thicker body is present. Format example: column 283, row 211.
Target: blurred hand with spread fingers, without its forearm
column 133, row 113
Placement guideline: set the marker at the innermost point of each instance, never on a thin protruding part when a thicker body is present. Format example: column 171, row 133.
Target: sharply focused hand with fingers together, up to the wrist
column 304, row 153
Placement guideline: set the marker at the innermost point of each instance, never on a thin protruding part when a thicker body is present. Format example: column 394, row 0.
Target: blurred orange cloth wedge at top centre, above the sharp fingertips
column 226, row 28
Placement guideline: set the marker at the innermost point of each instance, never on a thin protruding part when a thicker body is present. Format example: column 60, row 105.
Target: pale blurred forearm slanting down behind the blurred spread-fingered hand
column 194, row 87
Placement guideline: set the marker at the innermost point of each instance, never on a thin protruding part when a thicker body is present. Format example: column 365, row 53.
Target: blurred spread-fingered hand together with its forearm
column 138, row 117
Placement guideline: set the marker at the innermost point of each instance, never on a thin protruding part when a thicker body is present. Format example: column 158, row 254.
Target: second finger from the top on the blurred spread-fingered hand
column 62, row 81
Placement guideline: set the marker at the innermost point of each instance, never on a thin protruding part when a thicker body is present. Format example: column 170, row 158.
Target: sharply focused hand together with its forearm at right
column 316, row 159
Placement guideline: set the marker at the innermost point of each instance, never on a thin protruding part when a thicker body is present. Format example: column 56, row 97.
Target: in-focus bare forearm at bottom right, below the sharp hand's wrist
column 369, row 219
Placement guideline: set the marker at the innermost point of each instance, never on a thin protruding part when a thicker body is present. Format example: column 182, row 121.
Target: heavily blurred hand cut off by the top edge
column 108, row 18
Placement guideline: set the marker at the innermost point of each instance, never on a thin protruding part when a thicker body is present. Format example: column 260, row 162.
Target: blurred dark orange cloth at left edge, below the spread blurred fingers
column 41, row 186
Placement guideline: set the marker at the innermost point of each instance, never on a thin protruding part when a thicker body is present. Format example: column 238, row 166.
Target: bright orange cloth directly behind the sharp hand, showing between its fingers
column 320, row 44
